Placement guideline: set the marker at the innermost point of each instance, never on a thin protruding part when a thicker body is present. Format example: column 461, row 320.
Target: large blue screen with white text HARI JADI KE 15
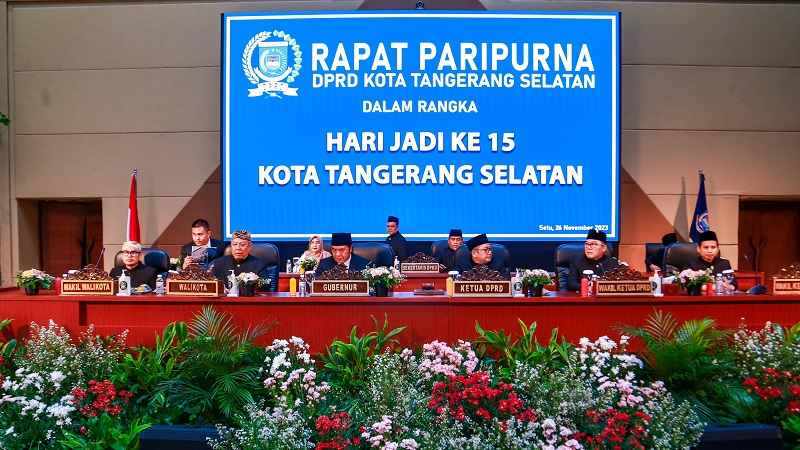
column 500, row 123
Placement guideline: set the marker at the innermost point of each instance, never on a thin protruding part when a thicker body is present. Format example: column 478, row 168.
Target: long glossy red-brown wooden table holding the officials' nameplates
column 320, row 320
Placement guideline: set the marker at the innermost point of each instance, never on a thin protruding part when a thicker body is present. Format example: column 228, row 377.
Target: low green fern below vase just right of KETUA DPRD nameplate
column 526, row 349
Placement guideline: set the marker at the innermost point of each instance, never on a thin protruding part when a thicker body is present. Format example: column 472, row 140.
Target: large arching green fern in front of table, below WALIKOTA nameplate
column 217, row 368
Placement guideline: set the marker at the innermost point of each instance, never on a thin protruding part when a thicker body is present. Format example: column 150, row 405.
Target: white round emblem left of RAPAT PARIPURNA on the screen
column 266, row 63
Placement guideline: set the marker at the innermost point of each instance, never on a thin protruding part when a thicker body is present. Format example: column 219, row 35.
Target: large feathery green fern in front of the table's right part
column 693, row 362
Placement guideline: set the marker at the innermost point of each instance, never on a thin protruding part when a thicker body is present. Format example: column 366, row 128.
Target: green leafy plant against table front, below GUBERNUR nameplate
column 346, row 362
